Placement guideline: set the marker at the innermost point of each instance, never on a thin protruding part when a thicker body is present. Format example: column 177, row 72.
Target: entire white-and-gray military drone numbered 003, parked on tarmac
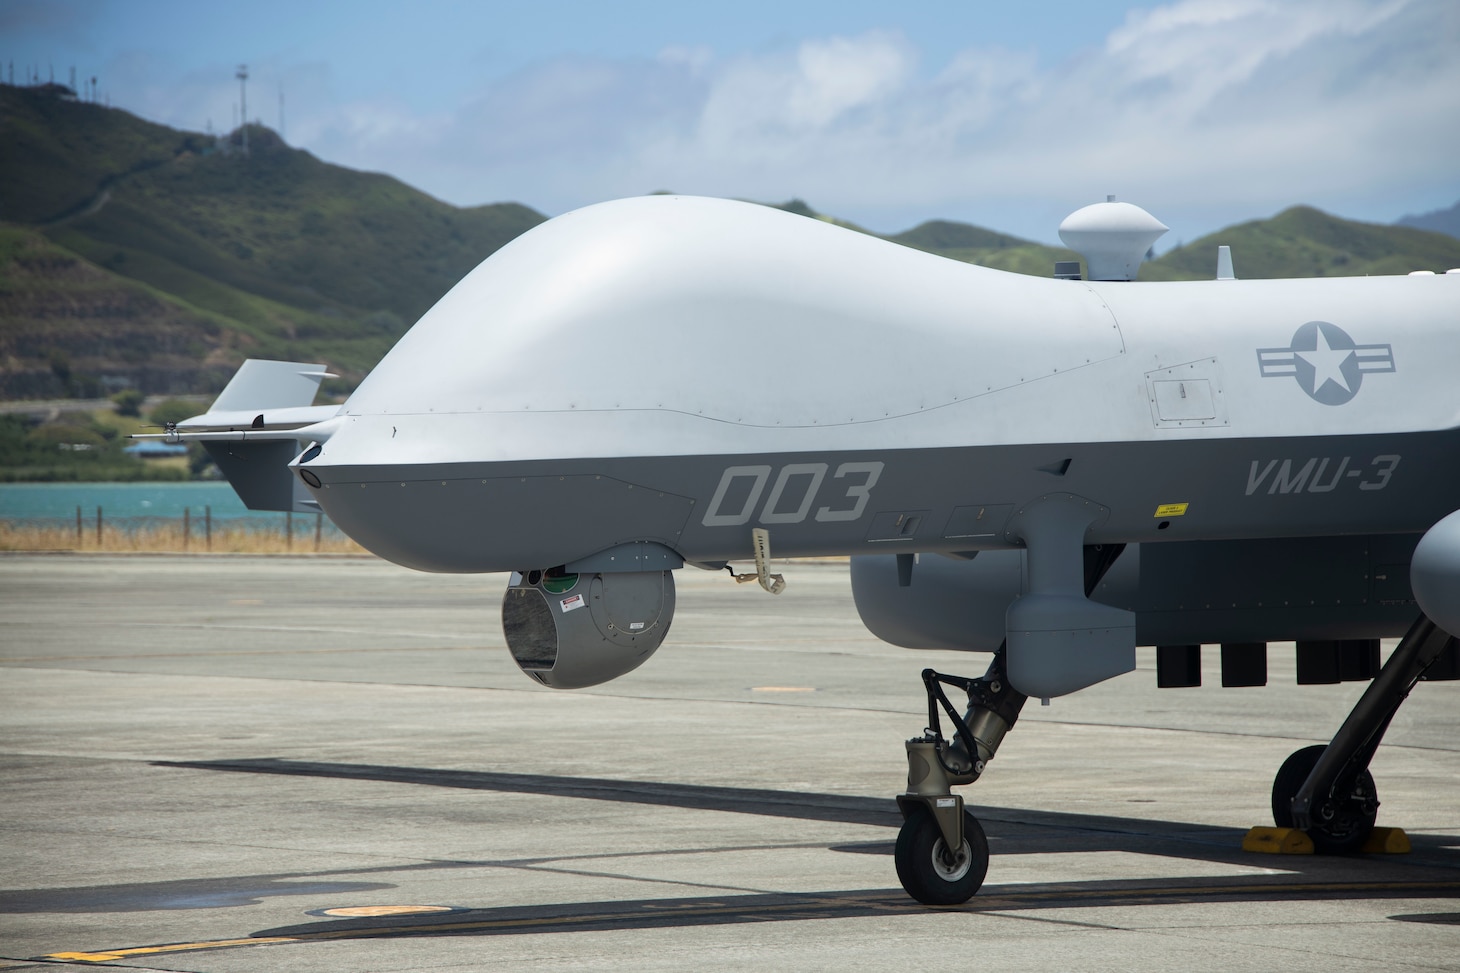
column 1052, row 471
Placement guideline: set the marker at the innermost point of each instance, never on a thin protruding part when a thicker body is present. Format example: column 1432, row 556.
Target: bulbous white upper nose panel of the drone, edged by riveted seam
column 729, row 312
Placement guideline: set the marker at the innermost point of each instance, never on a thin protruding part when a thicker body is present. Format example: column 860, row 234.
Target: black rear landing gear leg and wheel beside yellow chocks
column 1328, row 791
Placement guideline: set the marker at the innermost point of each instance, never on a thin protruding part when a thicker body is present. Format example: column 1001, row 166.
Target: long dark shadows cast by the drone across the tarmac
column 1011, row 832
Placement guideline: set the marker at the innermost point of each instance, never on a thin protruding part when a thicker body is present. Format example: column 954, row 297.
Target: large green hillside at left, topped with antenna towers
column 271, row 253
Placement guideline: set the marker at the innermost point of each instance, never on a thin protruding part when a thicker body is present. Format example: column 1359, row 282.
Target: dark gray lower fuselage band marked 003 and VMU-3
column 507, row 516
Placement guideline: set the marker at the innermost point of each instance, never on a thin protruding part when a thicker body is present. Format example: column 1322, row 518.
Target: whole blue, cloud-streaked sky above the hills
column 1010, row 116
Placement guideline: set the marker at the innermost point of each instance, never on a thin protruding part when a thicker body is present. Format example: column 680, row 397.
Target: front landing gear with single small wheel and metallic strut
column 942, row 854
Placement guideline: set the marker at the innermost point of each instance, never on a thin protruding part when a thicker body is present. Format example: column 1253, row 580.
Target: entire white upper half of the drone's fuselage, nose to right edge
column 688, row 327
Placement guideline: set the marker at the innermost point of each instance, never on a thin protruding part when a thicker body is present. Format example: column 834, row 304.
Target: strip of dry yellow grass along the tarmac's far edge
column 169, row 538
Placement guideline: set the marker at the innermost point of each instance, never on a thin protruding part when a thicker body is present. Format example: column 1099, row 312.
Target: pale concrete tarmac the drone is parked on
column 234, row 763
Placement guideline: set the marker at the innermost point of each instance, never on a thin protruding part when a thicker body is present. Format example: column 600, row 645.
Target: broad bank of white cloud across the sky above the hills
column 1195, row 107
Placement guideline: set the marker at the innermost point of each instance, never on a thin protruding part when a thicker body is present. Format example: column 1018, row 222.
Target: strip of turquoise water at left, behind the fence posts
column 59, row 502
